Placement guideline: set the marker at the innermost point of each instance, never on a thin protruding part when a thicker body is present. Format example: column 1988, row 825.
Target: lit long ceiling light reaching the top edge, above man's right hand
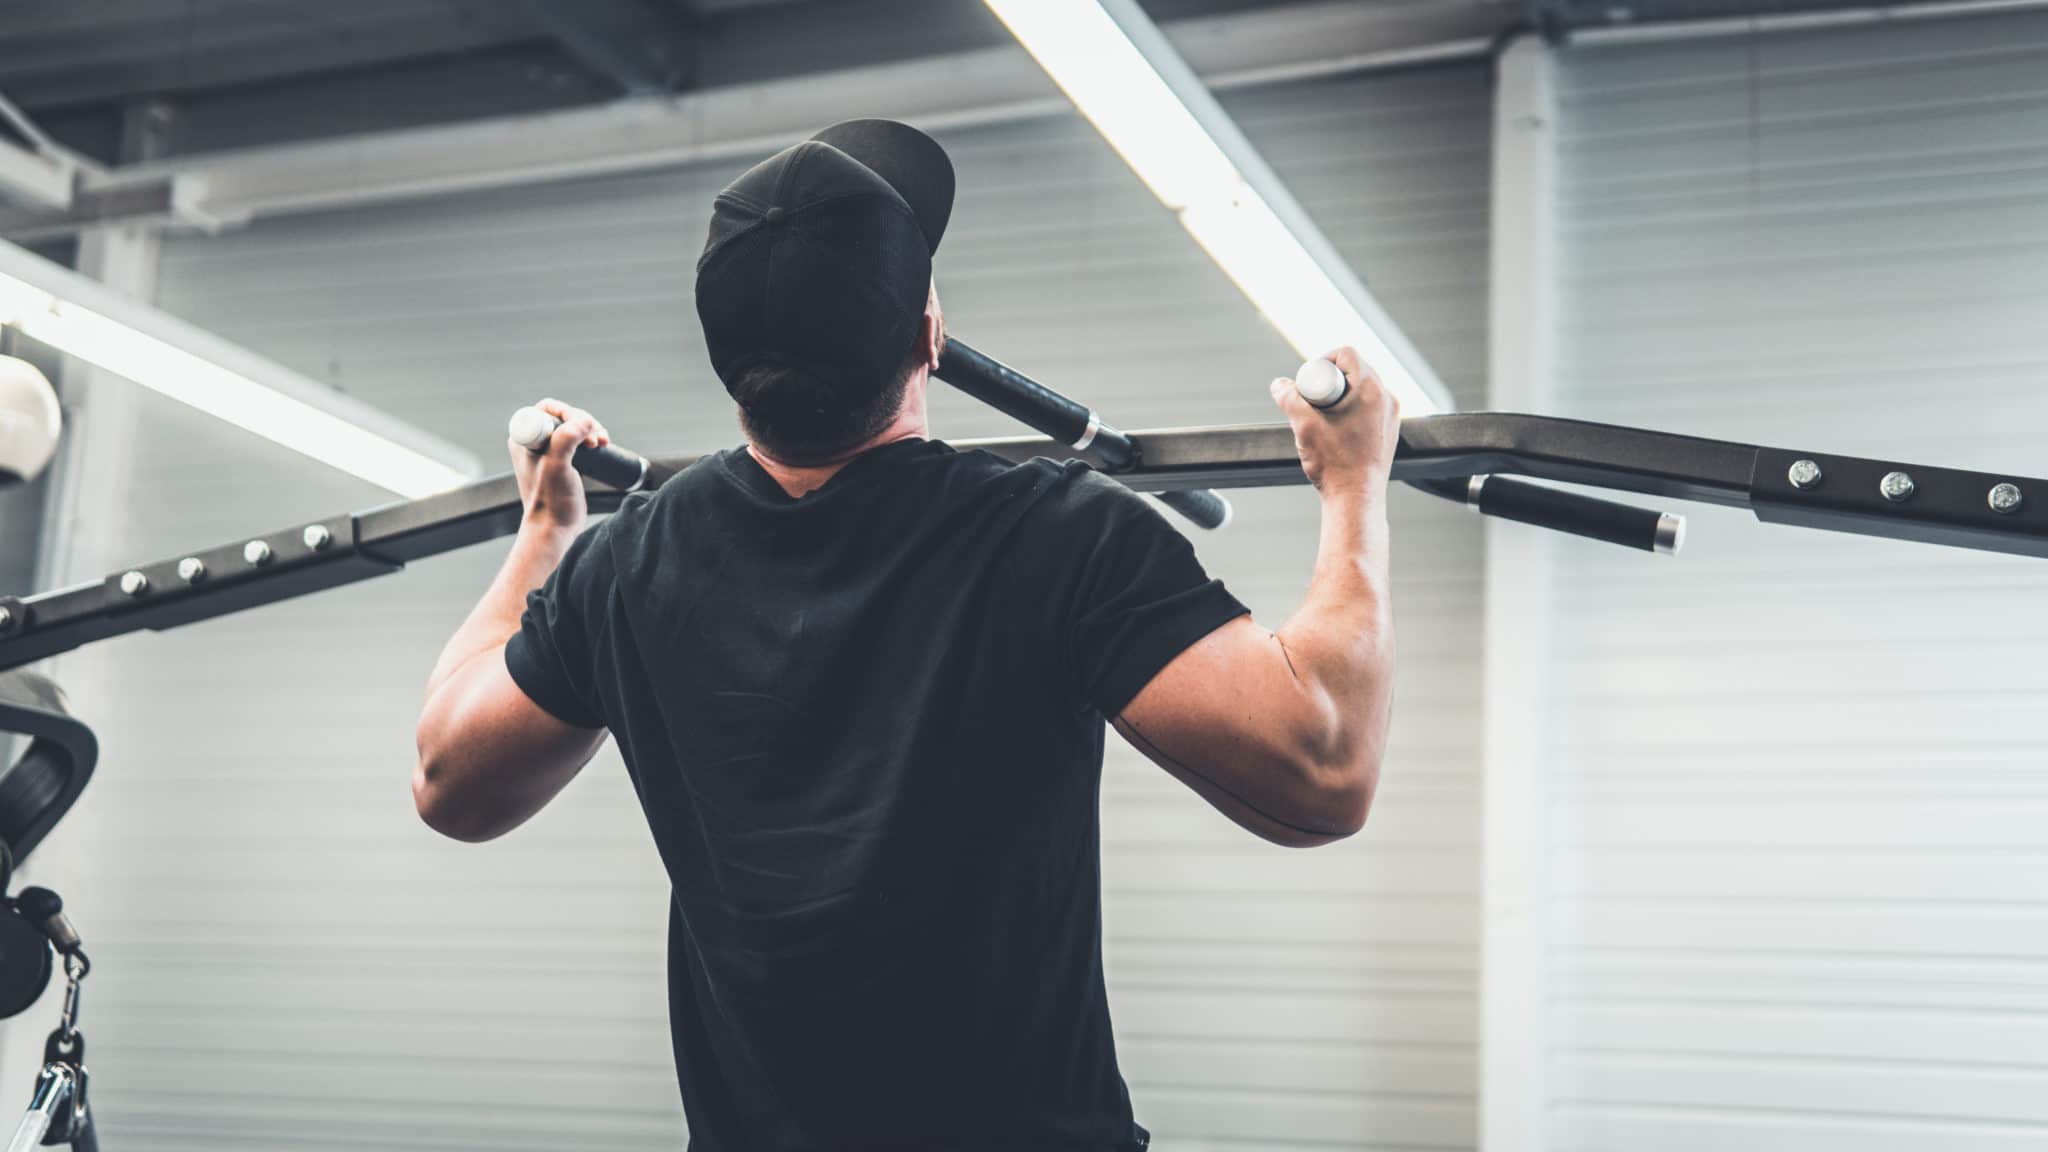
column 1125, row 77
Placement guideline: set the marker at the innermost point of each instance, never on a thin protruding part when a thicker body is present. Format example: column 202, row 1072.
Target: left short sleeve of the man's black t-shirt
column 554, row 653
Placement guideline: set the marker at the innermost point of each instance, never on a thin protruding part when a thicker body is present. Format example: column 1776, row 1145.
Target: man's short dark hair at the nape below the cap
column 802, row 419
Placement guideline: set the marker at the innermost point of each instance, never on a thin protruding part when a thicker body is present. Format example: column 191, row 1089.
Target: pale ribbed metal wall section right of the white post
column 1801, row 782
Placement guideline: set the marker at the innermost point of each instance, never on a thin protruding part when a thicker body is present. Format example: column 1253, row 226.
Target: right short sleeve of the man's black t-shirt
column 1140, row 595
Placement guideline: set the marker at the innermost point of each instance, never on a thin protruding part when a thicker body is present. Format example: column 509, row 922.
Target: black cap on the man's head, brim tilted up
column 820, row 257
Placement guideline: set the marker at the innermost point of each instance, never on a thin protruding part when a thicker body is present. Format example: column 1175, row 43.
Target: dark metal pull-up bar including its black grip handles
column 1455, row 456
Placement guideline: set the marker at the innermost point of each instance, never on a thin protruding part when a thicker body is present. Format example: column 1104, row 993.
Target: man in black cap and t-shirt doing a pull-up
column 859, row 682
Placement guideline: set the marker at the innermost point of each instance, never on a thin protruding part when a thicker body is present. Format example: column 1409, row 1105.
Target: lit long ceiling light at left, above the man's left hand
column 83, row 319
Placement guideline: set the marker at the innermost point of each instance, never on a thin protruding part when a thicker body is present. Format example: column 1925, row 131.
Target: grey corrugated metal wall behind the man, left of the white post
column 290, row 960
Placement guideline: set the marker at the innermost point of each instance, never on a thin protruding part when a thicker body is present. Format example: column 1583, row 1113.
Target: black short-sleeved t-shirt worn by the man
column 867, row 733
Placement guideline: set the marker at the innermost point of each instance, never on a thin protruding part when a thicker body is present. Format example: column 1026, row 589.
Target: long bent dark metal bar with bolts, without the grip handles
column 1947, row 507
